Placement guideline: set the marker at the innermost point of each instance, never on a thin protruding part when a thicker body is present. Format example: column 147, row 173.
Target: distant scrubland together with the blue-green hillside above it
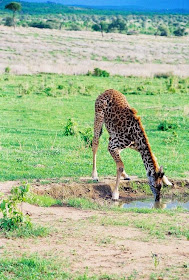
column 57, row 16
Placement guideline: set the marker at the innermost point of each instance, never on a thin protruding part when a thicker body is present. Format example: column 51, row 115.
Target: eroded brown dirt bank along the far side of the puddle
column 129, row 190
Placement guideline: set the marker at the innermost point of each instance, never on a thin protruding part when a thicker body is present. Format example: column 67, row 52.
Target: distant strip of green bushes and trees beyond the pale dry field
column 152, row 24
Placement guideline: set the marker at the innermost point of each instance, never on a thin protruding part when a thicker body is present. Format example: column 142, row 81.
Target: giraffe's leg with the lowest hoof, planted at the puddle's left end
column 115, row 153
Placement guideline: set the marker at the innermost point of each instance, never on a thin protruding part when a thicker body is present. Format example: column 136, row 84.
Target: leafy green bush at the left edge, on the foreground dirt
column 12, row 215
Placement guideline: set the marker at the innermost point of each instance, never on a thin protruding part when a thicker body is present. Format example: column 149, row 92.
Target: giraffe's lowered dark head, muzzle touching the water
column 156, row 182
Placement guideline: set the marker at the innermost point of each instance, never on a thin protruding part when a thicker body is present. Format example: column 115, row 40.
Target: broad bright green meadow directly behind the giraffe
column 34, row 111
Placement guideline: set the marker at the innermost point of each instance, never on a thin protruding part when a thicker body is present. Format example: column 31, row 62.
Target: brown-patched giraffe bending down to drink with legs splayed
column 125, row 130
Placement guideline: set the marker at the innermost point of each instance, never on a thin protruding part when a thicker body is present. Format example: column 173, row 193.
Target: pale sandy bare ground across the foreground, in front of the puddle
column 80, row 241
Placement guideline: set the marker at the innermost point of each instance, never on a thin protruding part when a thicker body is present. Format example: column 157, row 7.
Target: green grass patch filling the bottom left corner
column 34, row 267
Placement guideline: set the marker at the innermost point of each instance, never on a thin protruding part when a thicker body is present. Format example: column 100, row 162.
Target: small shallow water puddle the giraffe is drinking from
column 162, row 204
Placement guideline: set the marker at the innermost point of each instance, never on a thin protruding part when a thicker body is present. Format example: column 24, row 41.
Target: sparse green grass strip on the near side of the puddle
column 169, row 224
